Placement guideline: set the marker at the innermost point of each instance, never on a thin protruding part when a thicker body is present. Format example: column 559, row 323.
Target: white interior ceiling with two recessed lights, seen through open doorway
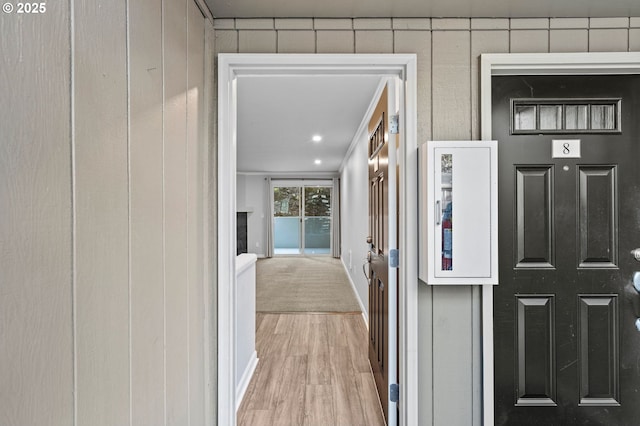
column 279, row 115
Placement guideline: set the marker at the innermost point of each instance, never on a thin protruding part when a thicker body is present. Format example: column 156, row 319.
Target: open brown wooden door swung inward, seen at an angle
column 379, row 249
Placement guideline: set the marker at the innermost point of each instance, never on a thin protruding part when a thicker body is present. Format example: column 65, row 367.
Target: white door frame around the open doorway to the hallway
column 230, row 66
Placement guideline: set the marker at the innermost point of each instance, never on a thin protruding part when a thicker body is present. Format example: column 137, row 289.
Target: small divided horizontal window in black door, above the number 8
column 553, row 116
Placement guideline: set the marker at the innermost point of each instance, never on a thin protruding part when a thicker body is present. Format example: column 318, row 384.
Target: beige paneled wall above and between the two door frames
column 448, row 108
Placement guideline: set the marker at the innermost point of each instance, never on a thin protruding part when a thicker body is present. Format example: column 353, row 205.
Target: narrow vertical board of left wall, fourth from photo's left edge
column 175, row 212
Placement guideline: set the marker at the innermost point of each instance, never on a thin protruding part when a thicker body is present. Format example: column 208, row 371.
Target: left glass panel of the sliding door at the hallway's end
column 286, row 220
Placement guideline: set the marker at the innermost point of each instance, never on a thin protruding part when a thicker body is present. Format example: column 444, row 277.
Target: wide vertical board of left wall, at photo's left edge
column 36, row 318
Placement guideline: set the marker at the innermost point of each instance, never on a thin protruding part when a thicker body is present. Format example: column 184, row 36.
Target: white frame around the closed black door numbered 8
column 531, row 64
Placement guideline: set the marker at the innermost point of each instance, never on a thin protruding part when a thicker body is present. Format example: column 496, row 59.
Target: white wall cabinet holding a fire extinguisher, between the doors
column 459, row 212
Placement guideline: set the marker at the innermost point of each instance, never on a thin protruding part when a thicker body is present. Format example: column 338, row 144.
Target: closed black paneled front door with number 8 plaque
column 567, row 347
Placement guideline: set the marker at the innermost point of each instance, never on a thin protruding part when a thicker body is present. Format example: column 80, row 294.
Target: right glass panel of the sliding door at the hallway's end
column 317, row 220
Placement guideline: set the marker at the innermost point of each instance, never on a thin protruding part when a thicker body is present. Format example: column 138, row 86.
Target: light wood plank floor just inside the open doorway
column 313, row 371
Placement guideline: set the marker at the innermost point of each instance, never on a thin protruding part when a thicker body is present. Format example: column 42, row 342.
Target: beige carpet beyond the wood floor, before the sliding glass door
column 303, row 284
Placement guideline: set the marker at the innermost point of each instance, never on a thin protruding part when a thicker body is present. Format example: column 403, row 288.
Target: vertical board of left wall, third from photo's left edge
column 146, row 213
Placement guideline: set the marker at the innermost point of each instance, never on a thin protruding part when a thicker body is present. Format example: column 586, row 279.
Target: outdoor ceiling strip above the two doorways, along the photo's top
column 422, row 8
